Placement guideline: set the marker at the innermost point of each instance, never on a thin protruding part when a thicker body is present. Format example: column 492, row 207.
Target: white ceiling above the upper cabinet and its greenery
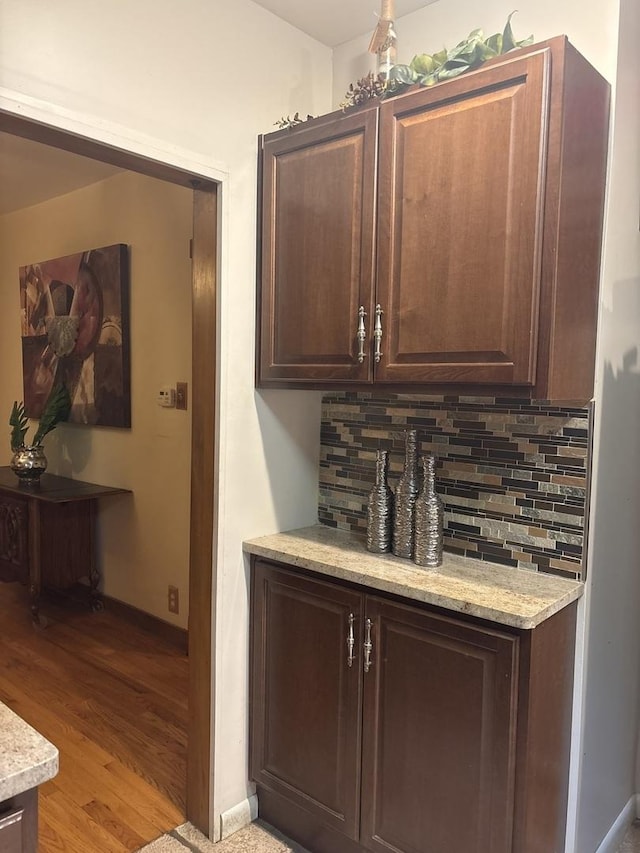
column 333, row 22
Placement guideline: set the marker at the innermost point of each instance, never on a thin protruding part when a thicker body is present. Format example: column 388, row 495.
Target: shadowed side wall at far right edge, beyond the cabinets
column 612, row 685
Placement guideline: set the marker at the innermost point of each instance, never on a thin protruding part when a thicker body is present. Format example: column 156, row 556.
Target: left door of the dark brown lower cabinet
column 306, row 697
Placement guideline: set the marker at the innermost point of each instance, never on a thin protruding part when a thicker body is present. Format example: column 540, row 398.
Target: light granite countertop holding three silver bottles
column 508, row 596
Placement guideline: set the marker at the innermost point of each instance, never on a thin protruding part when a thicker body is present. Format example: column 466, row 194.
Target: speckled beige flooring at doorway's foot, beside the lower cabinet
column 258, row 837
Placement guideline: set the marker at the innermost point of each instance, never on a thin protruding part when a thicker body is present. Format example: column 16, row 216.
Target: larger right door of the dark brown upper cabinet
column 460, row 231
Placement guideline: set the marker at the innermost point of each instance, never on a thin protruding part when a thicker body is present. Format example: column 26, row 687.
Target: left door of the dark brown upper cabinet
column 318, row 197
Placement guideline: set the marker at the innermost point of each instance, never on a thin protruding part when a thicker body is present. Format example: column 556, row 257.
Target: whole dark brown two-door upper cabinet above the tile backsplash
column 447, row 239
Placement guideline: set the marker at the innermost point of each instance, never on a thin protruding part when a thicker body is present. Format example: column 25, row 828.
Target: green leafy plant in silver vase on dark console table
column 28, row 461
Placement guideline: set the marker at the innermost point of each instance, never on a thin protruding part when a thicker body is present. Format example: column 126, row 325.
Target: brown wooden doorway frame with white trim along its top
column 45, row 125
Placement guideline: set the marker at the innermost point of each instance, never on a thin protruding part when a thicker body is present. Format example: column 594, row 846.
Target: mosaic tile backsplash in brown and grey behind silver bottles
column 513, row 475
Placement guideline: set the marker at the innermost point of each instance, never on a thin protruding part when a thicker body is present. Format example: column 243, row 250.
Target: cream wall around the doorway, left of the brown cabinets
column 194, row 83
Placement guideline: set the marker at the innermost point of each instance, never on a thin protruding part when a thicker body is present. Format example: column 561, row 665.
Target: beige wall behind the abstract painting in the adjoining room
column 144, row 538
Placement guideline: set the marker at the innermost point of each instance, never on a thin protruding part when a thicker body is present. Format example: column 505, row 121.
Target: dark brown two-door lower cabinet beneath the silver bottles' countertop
column 383, row 725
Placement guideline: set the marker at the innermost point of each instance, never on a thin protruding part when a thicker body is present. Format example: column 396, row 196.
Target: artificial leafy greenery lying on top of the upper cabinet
column 426, row 69
